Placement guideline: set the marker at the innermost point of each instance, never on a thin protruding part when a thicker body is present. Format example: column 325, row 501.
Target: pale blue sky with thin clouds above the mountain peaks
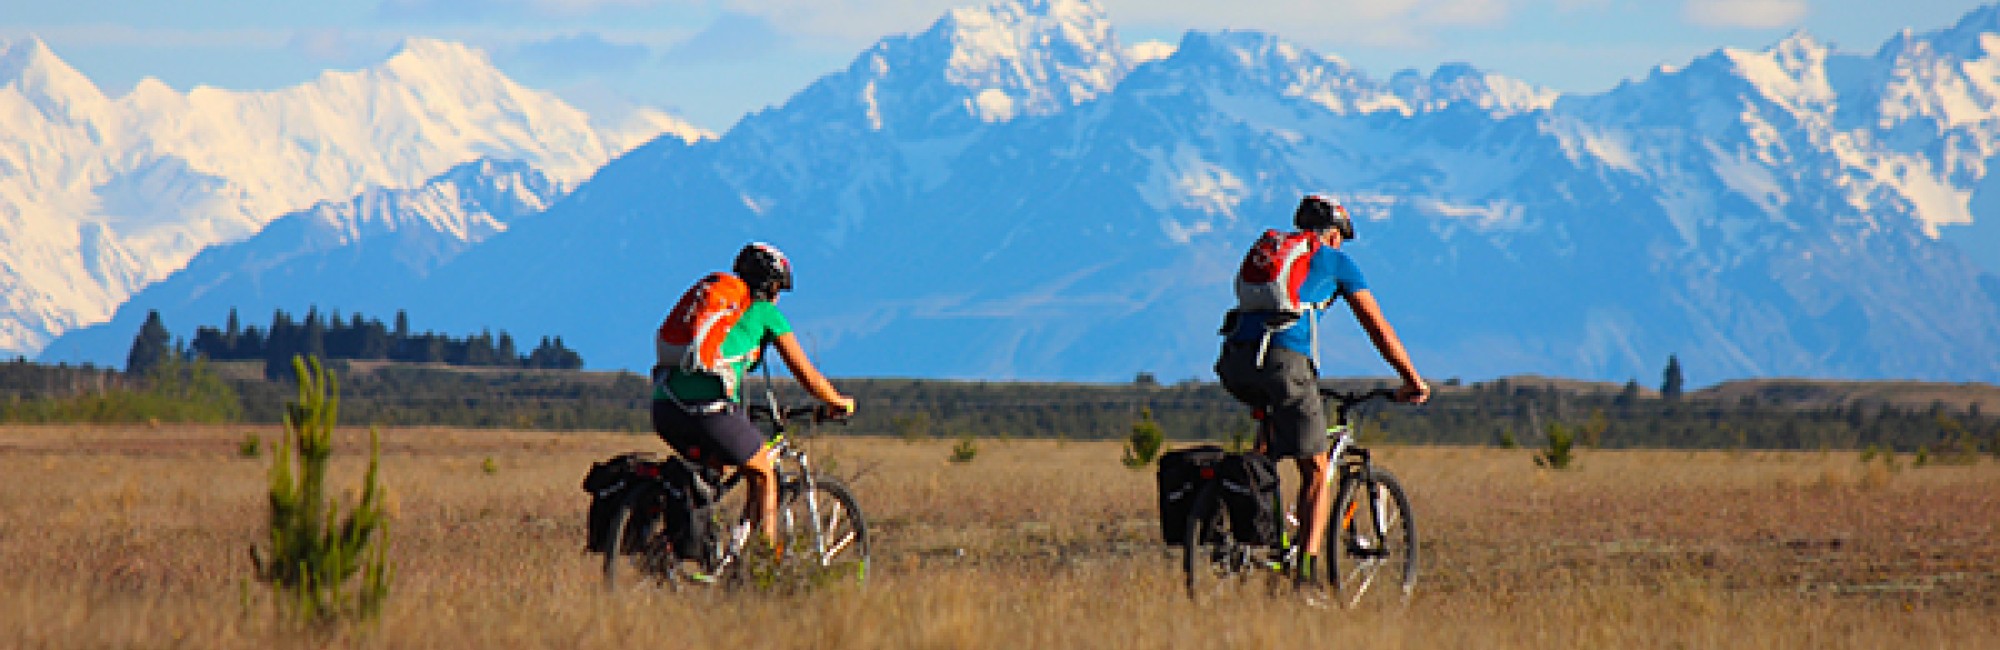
column 715, row 61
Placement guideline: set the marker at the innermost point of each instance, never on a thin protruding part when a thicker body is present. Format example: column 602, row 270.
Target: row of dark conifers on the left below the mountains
column 341, row 339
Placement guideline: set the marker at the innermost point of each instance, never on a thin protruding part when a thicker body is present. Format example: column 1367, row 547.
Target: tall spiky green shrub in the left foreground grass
column 315, row 553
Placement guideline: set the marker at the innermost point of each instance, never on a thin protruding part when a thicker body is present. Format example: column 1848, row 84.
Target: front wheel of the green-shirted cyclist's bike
column 825, row 531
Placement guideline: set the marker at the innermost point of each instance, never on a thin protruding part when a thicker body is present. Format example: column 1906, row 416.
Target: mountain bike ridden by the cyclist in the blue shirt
column 1371, row 541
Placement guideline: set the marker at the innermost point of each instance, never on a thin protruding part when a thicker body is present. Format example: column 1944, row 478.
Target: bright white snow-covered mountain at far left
column 101, row 197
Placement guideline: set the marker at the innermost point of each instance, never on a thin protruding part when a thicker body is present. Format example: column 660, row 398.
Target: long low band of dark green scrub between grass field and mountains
column 1501, row 413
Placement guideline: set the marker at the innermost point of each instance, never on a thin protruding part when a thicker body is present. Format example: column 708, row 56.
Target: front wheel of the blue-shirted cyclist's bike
column 1361, row 555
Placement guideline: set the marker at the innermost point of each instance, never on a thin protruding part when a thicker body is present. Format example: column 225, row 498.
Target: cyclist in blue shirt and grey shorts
column 1281, row 375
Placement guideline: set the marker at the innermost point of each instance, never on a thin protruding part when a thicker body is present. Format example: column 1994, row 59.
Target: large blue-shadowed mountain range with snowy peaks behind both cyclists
column 1013, row 195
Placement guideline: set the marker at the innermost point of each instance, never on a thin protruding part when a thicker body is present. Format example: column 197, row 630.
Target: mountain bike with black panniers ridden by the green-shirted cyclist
column 823, row 535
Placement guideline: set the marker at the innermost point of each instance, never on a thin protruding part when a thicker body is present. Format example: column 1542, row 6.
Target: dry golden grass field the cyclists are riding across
column 133, row 537
